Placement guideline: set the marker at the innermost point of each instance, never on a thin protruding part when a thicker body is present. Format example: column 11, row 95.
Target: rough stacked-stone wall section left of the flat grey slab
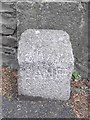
column 8, row 35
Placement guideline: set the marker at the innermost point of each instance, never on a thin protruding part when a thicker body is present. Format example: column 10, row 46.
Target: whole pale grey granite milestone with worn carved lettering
column 46, row 64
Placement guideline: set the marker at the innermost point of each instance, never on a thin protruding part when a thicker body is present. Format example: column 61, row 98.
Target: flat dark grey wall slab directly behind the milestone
column 70, row 17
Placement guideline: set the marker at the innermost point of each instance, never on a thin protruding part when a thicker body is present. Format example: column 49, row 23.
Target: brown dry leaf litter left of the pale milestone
column 9, row 82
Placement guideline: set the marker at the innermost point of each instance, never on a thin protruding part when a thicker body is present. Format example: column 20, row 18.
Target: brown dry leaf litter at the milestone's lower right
column 80, row 98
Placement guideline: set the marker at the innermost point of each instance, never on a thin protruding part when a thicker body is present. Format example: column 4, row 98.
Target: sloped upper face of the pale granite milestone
column 45, row 45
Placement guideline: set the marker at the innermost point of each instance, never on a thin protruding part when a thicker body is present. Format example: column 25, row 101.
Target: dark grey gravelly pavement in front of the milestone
column 34, row 109
